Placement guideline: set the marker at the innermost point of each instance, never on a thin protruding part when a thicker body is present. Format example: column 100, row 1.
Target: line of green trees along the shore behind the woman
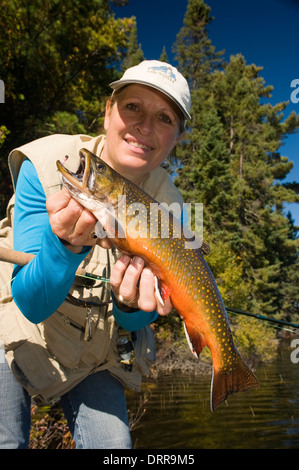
column 57, row 60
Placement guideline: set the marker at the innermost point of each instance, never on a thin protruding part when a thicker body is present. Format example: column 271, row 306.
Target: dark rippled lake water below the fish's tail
column 178, row 412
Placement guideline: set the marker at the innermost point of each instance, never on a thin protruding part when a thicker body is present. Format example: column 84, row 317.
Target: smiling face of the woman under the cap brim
column 142, row 128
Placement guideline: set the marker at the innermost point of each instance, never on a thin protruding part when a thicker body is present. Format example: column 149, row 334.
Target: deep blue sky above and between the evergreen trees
column 264, row 31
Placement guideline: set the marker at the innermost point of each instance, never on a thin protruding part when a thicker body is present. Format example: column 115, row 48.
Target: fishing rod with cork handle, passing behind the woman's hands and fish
column 20, row 258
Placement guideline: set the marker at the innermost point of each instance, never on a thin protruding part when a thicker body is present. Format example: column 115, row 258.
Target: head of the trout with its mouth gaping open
column 95, row 184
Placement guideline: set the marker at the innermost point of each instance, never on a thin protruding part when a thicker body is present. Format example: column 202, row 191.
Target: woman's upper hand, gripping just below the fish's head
column 72, row 223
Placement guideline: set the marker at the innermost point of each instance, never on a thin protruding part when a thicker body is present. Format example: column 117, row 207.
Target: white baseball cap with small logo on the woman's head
column 161, row 76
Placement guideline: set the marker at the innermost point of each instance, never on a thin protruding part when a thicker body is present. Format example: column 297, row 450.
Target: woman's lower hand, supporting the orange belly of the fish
column 134, row 286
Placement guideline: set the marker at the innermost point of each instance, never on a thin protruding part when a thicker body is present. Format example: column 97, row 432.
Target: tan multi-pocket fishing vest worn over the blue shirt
column 50, row 358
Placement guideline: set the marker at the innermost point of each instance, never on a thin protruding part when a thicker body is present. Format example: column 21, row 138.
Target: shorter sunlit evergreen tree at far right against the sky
column 254, row 135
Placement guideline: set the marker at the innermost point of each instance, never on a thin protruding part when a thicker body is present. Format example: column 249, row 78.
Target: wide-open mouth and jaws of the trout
column 82, row 179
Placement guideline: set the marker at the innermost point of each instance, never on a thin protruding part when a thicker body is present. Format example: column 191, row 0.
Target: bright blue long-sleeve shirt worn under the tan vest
column 41, row 286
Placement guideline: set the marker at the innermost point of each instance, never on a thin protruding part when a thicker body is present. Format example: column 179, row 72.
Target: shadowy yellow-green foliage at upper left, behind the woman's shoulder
column 57, row 59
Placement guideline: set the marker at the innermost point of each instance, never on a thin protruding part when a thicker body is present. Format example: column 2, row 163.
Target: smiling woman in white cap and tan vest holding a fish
column 66, row 342
